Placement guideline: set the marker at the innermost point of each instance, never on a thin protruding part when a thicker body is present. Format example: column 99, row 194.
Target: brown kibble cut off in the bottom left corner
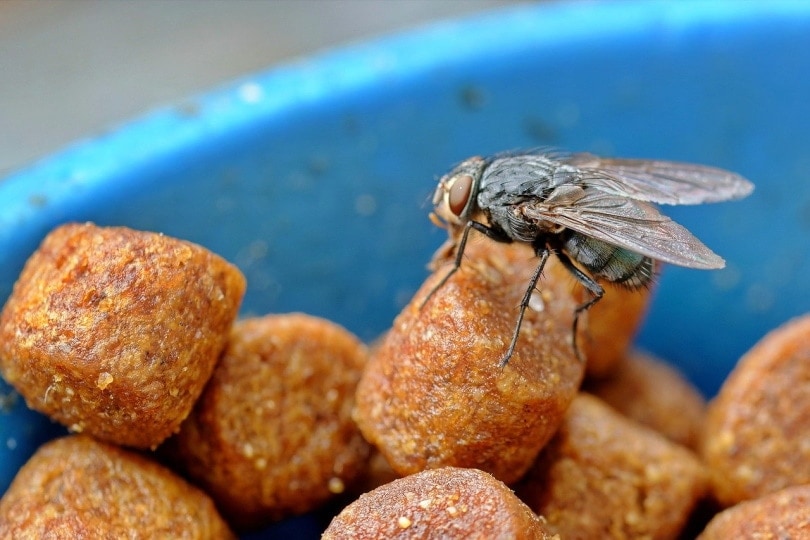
column 77, row 487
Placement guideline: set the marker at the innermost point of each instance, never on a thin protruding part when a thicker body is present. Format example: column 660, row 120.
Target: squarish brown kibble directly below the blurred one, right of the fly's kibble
column 604, row 476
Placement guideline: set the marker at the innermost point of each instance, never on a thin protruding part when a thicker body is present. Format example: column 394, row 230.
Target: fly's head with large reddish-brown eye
column 454, row 201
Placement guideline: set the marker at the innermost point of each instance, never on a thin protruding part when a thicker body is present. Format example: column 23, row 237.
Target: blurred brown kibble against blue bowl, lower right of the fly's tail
column 653, row 393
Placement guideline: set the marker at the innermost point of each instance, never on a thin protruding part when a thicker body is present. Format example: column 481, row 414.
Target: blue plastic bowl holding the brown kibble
column 314, row 178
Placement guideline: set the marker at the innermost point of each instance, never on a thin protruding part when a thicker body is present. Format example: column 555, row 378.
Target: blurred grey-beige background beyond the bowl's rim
column 72, row 69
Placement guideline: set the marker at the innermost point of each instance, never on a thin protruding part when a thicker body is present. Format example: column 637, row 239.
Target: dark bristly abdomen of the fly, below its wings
column 608, row 262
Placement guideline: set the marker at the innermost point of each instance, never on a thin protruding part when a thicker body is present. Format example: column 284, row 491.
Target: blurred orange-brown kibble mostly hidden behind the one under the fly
column 612, row 325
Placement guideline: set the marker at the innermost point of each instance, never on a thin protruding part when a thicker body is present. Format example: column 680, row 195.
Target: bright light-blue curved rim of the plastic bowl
column 75, row 172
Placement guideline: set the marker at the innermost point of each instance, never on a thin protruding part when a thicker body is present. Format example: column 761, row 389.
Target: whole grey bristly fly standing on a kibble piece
column 594, row 214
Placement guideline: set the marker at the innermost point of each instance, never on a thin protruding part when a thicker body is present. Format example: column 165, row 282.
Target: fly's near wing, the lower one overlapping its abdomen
column 625, row 223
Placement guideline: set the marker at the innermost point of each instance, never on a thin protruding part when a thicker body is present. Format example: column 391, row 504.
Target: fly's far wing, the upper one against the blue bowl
column 665, row 182
